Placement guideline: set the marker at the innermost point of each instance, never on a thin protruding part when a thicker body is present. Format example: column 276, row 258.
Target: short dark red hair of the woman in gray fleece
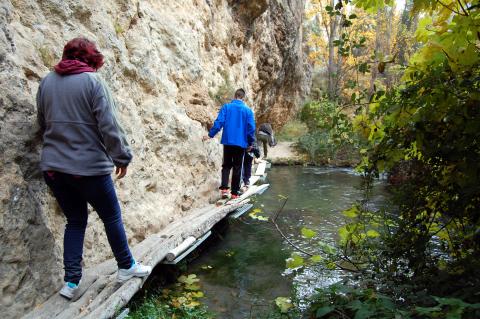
column 84, row 50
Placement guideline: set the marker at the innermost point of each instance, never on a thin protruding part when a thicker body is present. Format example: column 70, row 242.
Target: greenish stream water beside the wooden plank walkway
column 248, row 263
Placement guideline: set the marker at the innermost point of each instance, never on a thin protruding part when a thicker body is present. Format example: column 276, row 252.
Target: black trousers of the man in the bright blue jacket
column 232, row 159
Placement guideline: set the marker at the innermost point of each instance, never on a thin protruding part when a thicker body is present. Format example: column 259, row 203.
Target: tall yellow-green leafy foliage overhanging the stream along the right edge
column 424, row 134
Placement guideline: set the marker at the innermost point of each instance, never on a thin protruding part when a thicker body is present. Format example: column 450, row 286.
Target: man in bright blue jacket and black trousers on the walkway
column 238, row 124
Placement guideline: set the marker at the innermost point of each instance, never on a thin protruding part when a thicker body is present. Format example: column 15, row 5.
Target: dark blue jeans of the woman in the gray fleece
column 72, row 194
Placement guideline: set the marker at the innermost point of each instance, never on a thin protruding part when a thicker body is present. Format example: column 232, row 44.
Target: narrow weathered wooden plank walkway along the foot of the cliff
column 100, row 296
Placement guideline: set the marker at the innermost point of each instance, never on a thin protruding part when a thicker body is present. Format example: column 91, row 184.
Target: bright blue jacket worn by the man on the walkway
column 238, row 124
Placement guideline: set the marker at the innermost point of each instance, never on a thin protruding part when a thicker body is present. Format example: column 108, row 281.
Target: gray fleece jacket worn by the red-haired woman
column 81, row 135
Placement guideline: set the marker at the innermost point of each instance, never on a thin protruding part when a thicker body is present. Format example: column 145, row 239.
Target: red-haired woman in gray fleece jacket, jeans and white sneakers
column 82, row 142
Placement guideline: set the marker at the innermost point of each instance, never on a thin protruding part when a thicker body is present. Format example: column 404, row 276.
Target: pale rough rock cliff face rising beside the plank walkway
column 169, row 64
